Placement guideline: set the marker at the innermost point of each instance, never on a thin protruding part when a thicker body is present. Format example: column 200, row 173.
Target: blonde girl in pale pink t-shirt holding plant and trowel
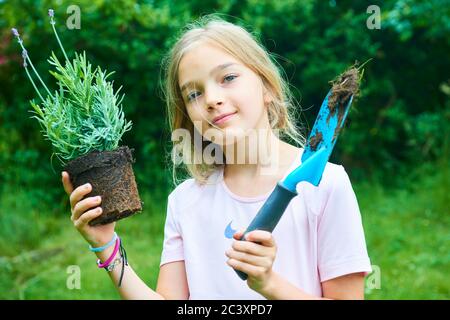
column 222, row 87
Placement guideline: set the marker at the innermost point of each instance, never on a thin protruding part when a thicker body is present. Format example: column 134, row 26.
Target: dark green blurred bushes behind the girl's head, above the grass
column 400, row 119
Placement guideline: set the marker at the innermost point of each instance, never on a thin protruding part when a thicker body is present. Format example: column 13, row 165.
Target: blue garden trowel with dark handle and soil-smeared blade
column 316, row 153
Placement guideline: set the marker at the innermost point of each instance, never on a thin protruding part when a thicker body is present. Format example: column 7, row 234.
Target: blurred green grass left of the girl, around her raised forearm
column 40, row 271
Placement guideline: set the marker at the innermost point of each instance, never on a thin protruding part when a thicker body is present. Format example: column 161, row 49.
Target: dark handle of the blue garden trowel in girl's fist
column 269, row 214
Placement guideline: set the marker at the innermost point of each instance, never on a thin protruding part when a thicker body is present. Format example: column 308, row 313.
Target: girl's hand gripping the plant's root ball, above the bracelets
column 85, row 210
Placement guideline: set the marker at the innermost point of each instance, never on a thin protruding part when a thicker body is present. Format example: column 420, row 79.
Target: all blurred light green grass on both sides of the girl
column 407, row 233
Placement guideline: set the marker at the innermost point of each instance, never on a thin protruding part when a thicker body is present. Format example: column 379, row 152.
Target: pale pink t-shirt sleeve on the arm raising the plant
column 173, row 241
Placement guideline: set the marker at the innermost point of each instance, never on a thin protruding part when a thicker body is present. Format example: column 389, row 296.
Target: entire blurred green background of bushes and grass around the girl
column 395, row 147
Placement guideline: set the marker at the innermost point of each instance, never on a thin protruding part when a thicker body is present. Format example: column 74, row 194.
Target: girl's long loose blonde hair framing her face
column 239, row 43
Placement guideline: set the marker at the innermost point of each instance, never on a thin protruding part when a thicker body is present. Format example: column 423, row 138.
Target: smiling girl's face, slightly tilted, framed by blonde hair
column 224, row 98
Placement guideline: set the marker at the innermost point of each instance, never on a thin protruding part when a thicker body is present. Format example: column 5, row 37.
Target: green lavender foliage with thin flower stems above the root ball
column 85, row 113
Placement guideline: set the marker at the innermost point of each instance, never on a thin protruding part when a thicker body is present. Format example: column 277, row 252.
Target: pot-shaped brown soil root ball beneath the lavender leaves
column 111, row 175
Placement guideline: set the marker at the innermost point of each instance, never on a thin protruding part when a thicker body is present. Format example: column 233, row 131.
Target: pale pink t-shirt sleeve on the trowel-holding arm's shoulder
column 341, row 243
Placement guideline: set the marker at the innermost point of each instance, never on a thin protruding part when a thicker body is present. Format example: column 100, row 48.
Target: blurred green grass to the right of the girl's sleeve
column 407, row 233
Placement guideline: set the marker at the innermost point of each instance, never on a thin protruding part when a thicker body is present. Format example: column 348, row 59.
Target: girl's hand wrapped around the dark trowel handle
column 255, row 257
